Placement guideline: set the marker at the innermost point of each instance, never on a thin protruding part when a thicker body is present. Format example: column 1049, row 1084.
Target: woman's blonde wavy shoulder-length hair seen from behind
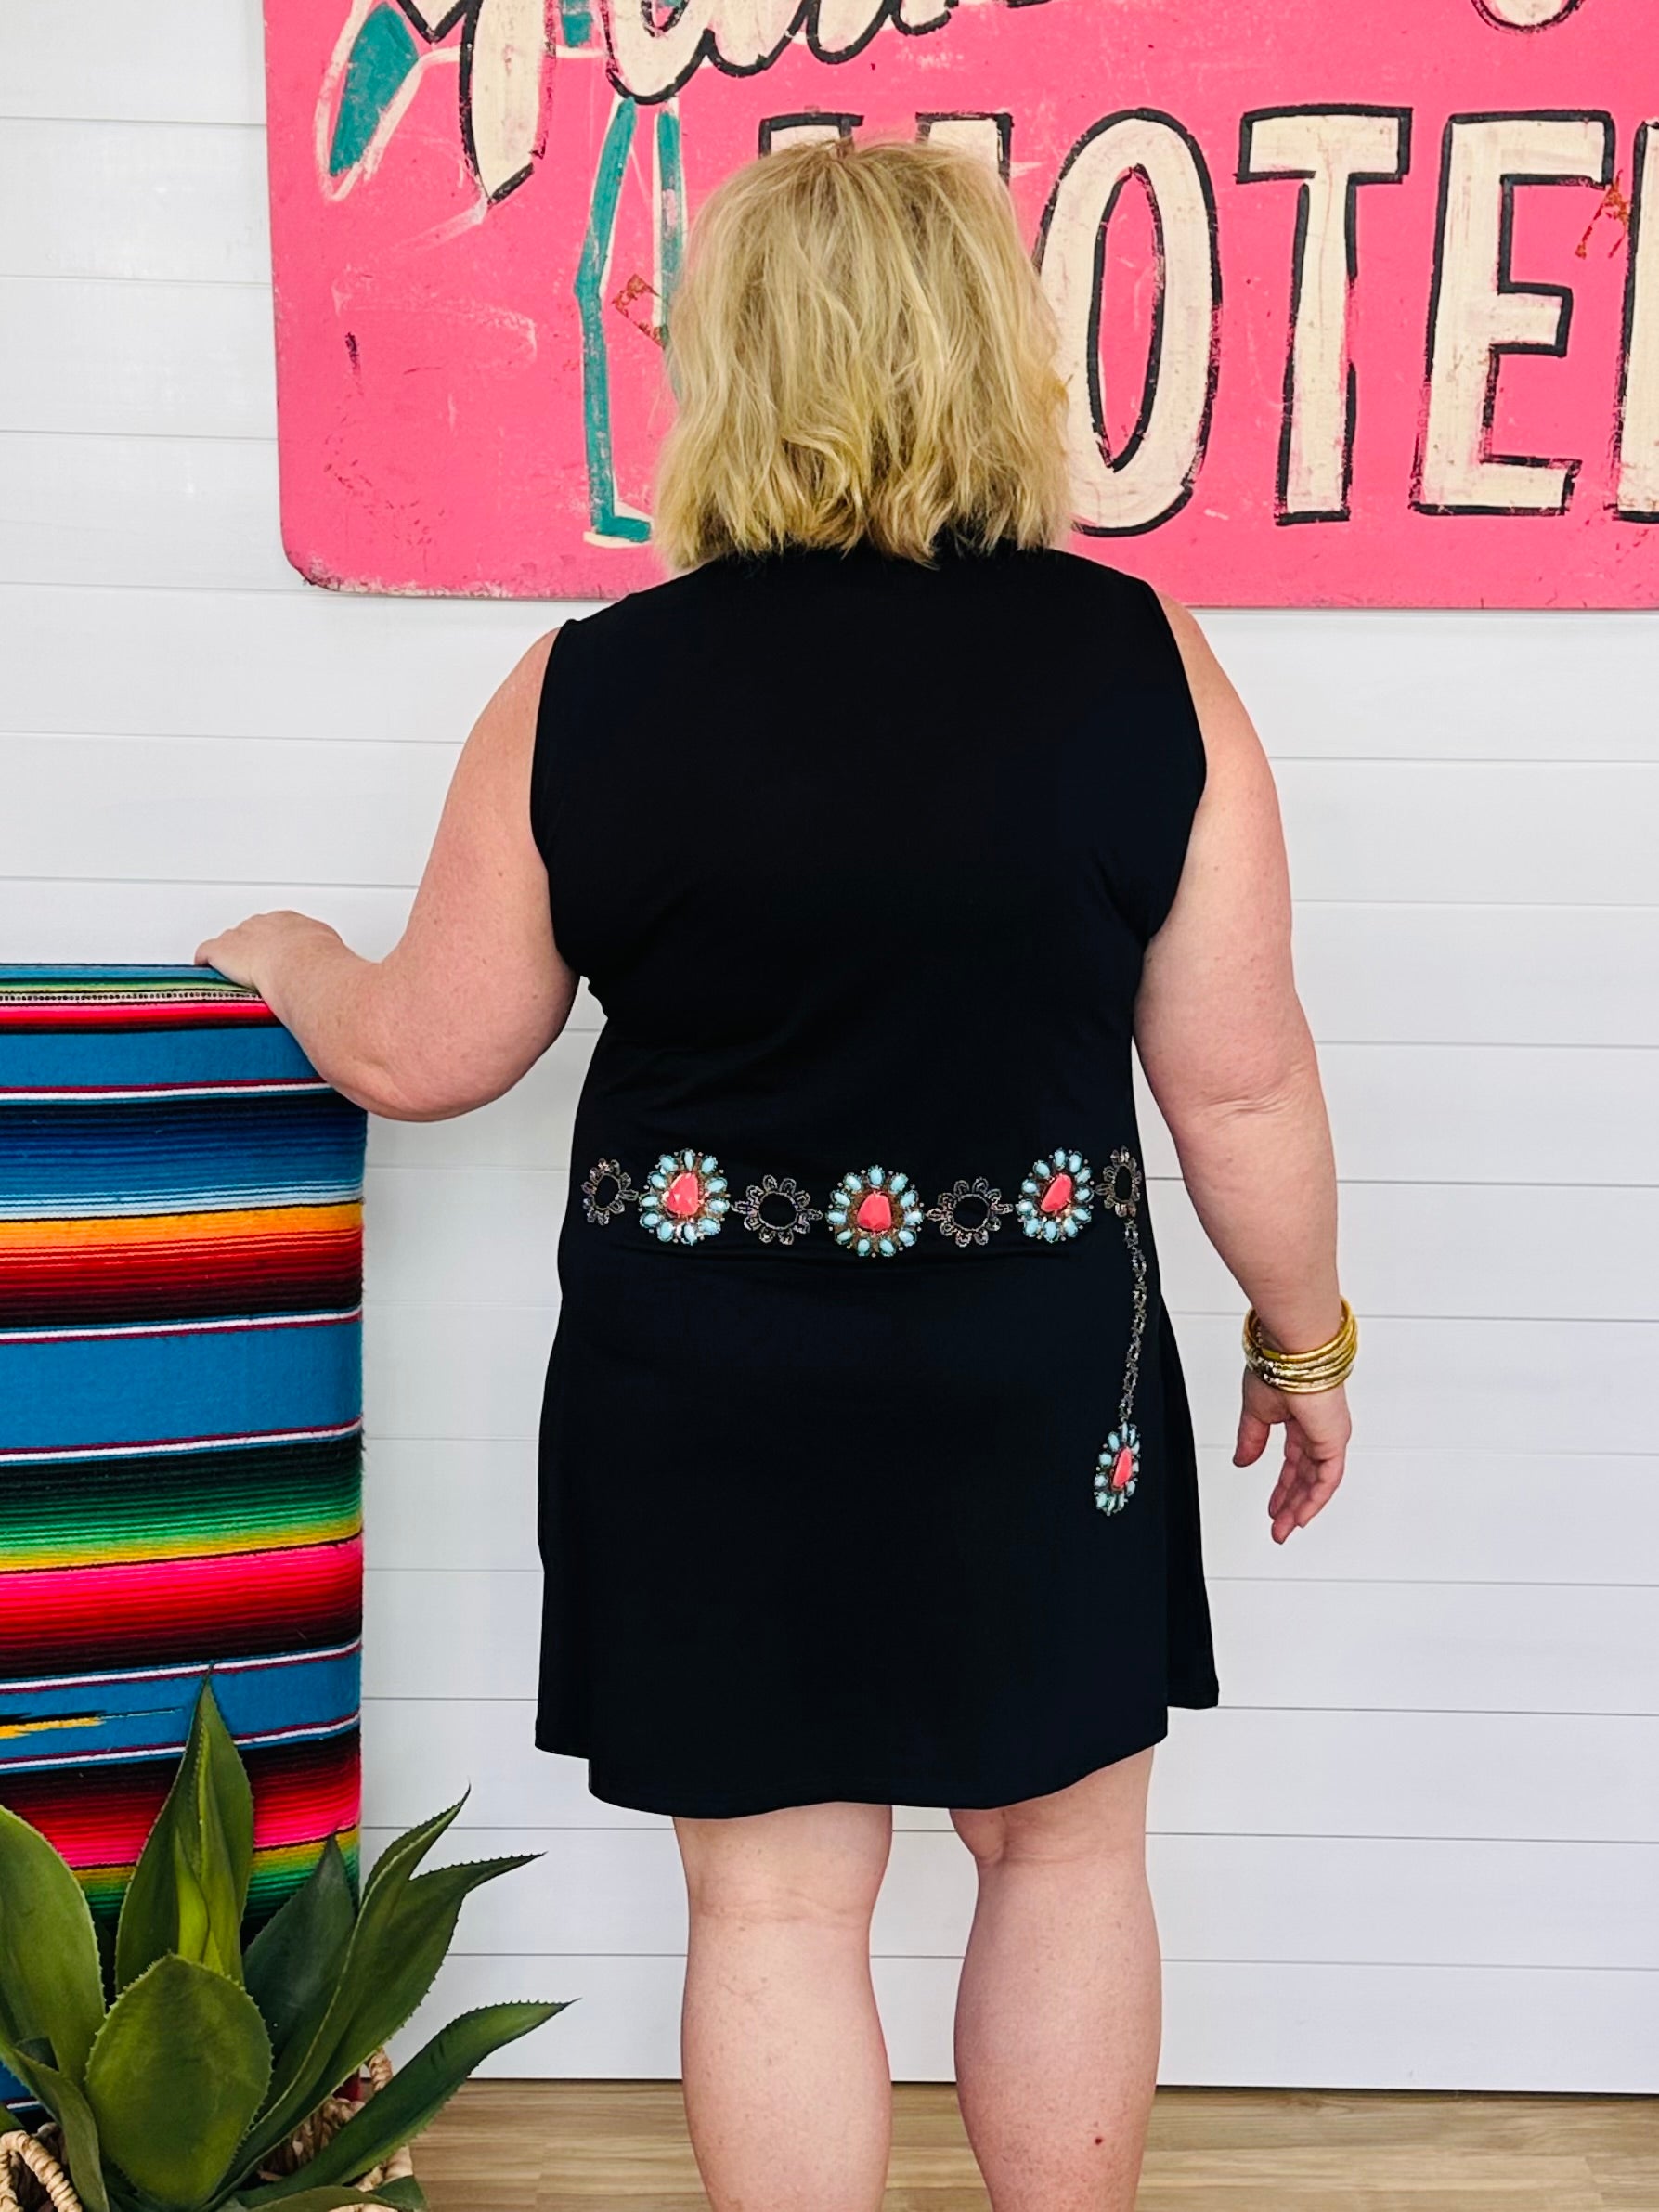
column 859, row 351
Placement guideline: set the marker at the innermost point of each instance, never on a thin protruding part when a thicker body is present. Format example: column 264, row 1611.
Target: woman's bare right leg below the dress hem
column 1058, row 2012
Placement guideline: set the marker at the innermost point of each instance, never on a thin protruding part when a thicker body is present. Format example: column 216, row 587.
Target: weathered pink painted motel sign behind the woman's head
column 1359, row 300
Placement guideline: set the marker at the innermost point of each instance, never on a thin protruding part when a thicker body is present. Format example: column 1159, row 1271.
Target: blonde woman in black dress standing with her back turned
column 881, row 831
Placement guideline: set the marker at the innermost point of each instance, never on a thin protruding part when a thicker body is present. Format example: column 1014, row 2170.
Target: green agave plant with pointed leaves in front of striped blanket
column 209, row 2058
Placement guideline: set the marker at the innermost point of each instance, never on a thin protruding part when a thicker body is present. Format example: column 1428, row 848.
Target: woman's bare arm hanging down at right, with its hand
column 1231, row 1063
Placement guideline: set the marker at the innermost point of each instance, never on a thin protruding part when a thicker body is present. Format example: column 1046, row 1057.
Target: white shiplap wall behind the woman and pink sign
column 1421, row 1841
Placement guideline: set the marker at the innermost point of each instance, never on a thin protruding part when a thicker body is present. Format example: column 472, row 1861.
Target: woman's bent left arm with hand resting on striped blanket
column 474, row 992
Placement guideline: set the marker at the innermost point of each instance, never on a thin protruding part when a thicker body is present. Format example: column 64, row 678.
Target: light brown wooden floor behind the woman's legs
column 545, row 2147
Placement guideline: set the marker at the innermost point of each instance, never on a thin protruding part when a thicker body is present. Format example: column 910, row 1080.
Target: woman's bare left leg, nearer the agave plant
column 789, row 2091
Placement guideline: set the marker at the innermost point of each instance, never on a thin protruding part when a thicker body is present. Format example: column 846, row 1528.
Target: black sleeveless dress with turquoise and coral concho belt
column 866, row 1457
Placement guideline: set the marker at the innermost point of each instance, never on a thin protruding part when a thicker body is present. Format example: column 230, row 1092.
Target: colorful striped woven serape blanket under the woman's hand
column 180, row 1412
